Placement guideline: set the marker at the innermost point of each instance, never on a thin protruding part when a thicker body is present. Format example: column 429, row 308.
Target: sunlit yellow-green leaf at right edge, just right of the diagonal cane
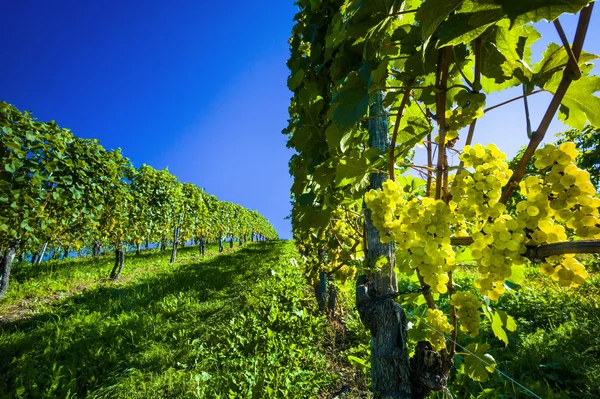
column 579, row 105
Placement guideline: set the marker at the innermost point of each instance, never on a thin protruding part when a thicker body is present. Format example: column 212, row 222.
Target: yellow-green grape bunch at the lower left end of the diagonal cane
column 476, row 192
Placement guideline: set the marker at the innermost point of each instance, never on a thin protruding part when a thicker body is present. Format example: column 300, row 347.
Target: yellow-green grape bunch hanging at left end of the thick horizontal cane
column 496, row 248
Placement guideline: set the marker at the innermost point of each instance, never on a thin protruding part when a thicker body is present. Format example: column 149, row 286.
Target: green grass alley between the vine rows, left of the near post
column 233, row 325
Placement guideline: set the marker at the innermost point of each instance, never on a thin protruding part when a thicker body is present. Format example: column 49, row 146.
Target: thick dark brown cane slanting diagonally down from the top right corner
column 567, row 78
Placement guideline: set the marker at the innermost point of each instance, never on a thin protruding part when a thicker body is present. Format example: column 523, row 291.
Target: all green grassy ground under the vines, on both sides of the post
column 243, row 325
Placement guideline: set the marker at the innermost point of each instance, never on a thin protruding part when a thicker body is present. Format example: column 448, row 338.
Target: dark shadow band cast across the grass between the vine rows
column 91, row 340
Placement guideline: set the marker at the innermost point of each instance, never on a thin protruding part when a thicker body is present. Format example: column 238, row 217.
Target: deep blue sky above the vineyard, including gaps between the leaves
column 197, row 86
